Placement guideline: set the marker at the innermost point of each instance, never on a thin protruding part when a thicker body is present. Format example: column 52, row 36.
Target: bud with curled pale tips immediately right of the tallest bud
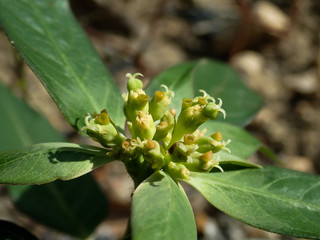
column 160, row 102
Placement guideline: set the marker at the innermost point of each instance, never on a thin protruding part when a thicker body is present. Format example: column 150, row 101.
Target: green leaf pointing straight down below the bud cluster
column 161, row 210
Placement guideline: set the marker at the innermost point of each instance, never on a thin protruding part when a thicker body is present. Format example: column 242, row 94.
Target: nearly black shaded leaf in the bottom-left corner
column 11, row 231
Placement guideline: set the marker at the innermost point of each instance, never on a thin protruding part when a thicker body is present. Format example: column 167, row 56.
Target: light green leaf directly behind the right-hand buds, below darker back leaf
column 242, row 143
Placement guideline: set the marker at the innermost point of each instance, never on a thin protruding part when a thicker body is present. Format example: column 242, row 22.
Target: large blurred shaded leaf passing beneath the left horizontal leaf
column 66, row 206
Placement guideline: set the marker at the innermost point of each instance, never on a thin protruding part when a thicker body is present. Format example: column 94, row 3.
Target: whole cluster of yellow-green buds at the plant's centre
column 158, row 139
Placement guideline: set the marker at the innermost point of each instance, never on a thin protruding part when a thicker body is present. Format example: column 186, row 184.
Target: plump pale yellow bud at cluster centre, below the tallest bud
column 143, row 126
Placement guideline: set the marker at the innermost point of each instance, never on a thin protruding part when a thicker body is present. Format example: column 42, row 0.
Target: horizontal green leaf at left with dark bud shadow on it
column 46, row 162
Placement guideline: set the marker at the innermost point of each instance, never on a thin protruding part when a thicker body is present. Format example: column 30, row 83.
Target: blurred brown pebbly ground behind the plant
column 273, row 44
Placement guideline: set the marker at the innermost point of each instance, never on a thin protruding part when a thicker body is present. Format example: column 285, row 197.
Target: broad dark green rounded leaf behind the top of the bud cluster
column 217, row 79
